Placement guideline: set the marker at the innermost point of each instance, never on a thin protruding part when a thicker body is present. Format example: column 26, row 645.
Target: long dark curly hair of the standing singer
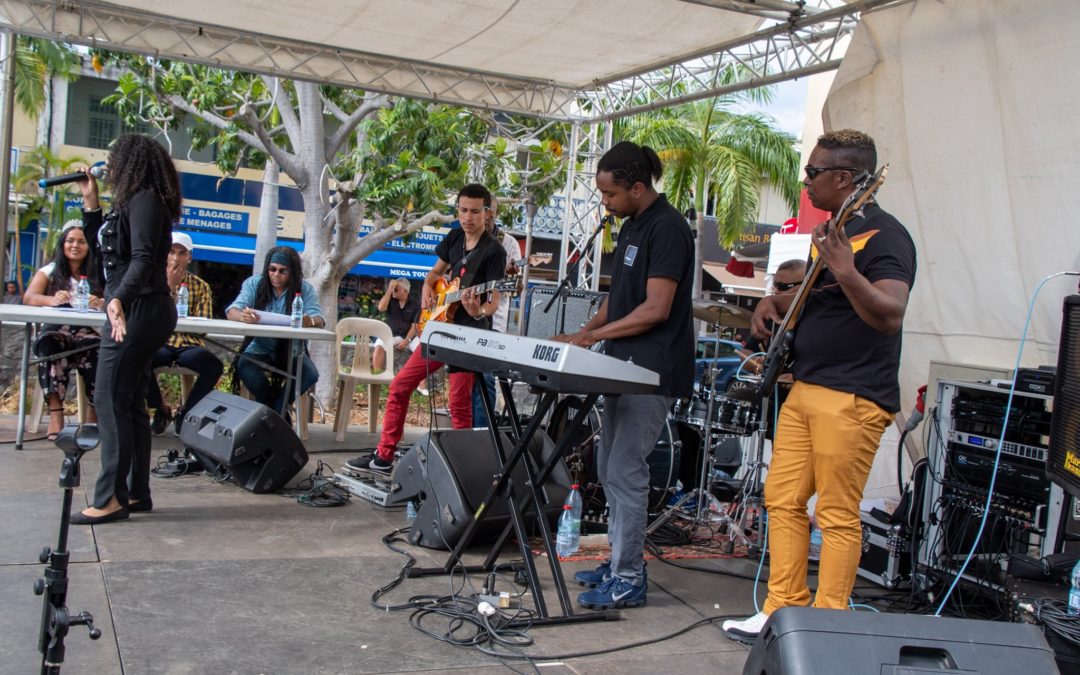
column 138, row 164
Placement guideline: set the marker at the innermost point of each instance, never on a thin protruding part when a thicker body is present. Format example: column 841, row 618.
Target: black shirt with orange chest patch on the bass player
column 833, row 346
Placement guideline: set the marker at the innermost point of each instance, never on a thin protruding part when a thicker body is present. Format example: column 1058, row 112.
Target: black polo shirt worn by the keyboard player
column 658, row 244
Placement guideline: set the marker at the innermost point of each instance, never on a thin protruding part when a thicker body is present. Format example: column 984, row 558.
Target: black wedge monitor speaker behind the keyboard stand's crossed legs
column 450, row 472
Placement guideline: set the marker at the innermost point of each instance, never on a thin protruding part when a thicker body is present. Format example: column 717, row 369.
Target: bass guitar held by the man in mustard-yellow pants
column 785, row 336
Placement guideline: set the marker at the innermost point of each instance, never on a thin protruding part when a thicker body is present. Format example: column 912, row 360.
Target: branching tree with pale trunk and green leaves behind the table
column 364, row 164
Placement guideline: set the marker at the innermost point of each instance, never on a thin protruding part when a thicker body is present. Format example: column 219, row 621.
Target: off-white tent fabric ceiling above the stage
column 573, row 44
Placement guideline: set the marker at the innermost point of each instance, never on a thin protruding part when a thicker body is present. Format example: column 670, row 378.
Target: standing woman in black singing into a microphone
column 132, row 245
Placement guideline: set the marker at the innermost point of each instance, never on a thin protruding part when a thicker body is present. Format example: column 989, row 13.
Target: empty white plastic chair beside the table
column 363, row 331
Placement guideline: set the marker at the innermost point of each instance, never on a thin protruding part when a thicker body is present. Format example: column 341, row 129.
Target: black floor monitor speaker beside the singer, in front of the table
column 246, row 439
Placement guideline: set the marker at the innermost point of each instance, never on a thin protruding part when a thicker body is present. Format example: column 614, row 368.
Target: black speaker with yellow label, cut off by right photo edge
column 1063, row 461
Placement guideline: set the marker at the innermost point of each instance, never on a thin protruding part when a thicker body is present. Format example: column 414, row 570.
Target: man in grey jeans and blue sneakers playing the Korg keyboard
column 645, row 319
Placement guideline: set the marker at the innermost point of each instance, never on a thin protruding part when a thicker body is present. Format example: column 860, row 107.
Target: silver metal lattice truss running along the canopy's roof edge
column 803, row 45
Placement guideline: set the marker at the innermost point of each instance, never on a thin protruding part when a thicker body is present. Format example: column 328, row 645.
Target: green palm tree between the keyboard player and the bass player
column 713, row 153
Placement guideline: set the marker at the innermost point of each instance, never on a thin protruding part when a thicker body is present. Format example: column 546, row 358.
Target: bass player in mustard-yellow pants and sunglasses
column 846, row 355
